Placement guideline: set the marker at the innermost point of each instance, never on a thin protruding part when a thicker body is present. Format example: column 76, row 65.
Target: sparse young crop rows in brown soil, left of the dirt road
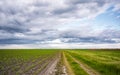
column 25, row 62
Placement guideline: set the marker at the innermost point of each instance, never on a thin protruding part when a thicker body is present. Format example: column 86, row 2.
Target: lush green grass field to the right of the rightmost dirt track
column 105, row 62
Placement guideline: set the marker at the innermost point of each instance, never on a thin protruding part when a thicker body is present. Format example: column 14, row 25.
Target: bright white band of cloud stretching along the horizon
column 61, row 46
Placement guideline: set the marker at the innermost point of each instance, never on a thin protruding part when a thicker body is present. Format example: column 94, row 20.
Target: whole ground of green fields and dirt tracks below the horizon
column 59, row 62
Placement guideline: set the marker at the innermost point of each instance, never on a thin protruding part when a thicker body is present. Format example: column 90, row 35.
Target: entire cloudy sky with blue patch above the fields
column 60, row 24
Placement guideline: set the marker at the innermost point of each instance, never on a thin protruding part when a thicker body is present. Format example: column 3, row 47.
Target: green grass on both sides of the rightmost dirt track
column 103, row 62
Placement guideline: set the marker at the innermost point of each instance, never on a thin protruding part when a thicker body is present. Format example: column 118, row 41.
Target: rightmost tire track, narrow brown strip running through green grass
column 85, row 67
